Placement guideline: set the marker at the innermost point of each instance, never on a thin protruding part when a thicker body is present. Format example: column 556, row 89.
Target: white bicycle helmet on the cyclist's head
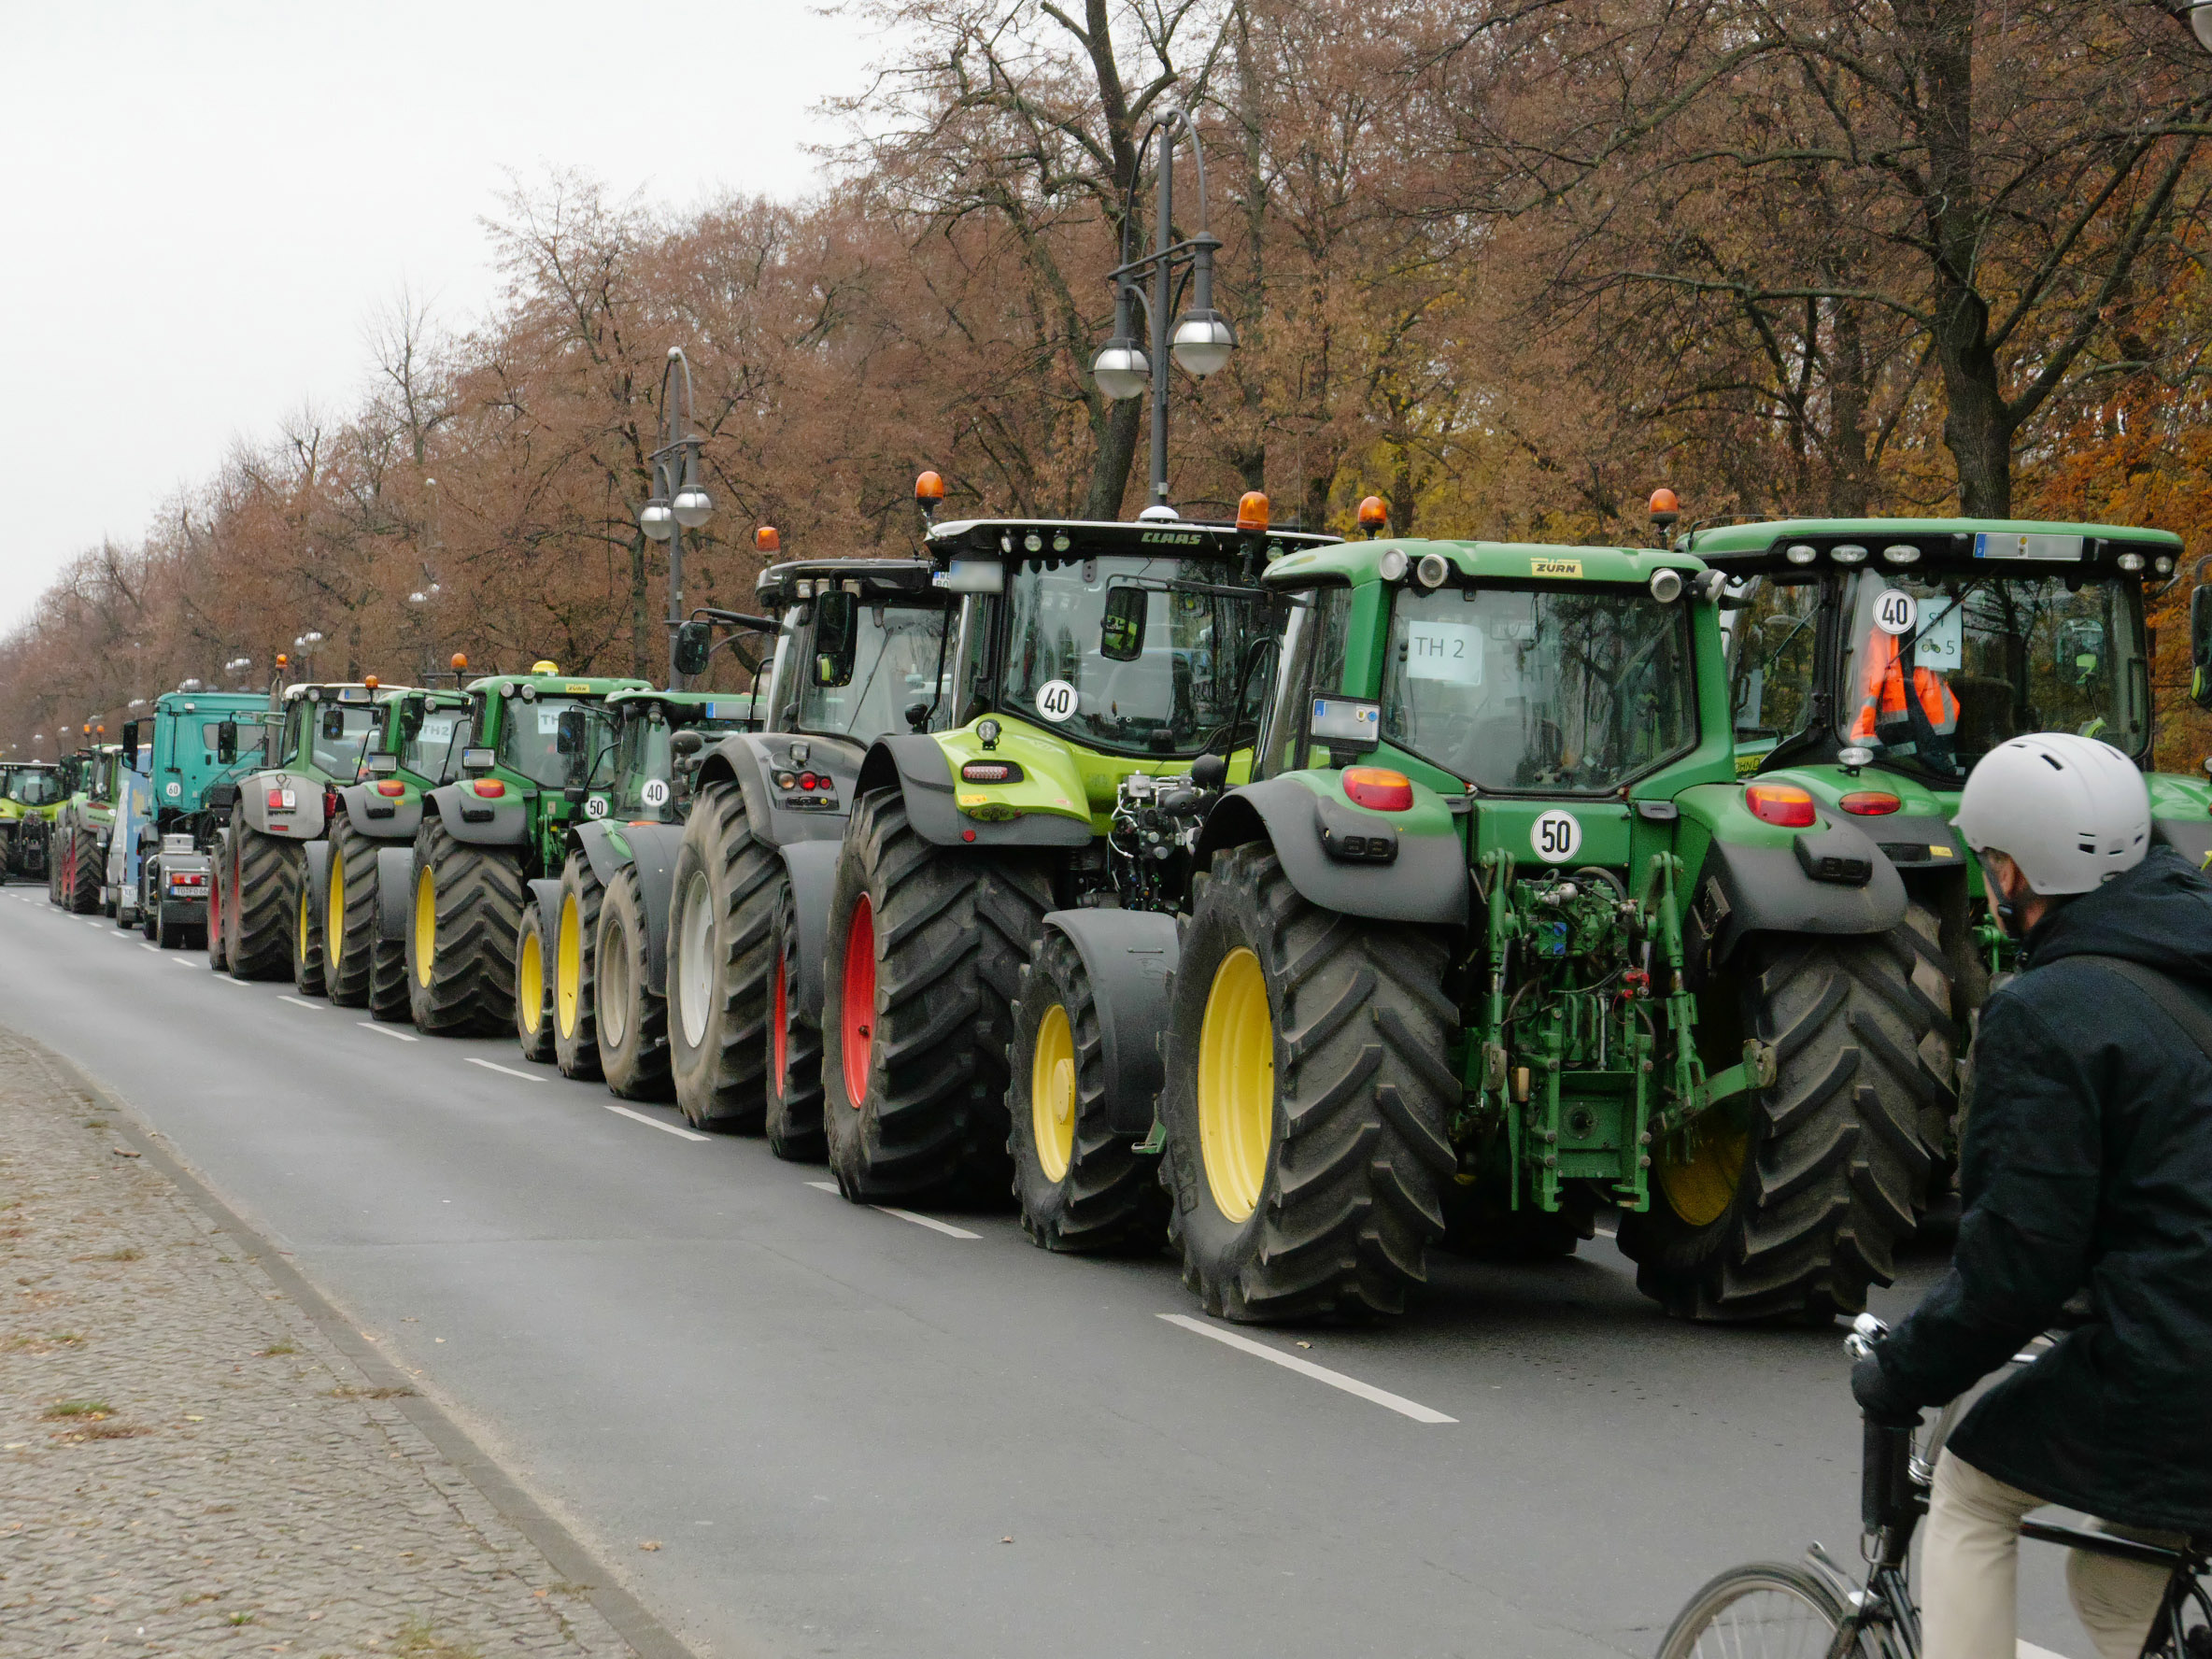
column 2069, row 811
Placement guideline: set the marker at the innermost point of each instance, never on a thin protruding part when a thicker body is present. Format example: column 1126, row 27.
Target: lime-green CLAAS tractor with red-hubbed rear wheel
column 1092, row 669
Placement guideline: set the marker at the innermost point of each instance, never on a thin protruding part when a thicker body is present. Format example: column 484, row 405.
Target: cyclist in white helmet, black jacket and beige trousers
column 2087, row 1171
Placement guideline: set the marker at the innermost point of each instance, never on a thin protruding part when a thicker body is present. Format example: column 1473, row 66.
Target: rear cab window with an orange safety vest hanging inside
column 1945, row 667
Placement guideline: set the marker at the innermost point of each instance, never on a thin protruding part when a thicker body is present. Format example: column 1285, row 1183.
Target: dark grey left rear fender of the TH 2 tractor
column 1423, row 884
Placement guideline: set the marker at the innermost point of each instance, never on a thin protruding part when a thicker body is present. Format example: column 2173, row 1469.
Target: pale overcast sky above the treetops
column 207, row 198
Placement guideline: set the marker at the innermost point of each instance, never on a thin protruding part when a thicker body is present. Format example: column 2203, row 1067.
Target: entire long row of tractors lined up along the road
column 1295, row 904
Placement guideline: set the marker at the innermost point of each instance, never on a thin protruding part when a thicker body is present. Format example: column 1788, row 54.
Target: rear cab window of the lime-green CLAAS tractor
column 1180, row 689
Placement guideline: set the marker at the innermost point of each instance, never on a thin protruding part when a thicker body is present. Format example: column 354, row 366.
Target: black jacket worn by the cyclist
column 2087, row 1162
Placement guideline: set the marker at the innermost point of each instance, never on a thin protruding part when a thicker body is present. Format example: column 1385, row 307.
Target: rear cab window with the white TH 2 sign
column 1541, row 689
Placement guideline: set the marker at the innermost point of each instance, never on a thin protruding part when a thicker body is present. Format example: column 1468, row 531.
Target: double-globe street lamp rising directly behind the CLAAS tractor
column 1200, row 340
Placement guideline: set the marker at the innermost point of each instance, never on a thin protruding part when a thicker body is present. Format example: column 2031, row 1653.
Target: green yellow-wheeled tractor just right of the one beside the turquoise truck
column 359, row 879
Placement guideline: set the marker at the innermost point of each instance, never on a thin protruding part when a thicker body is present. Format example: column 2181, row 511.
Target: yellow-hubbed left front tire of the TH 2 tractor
column 1081, row 1185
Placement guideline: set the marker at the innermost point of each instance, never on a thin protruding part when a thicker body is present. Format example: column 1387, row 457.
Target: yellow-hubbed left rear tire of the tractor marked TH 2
column 1306, row 1100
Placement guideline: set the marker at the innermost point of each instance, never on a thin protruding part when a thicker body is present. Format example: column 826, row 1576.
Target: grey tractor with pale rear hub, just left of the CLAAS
column 862, row 651
